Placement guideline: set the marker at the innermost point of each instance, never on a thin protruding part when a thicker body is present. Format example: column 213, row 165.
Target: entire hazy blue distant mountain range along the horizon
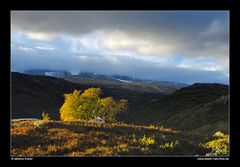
column 111, row 80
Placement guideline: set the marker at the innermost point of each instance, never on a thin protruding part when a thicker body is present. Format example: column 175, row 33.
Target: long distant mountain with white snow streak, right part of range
column 124, row 82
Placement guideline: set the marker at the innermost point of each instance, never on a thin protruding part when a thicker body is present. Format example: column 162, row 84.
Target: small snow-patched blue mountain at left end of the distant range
column 53, row 73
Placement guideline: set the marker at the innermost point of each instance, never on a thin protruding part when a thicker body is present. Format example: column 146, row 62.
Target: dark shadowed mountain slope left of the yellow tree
column 31, row 95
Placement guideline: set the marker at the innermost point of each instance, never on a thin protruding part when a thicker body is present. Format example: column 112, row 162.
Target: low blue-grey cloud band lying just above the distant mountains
column 107, row 64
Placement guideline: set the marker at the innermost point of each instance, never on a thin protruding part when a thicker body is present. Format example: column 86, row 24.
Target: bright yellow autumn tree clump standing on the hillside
column 89, row 105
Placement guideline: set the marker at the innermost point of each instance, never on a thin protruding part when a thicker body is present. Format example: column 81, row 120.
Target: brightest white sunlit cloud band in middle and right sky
column 117, row 43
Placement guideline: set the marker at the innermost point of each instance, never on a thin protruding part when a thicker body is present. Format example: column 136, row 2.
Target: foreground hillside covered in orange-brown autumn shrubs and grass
column 56, row 138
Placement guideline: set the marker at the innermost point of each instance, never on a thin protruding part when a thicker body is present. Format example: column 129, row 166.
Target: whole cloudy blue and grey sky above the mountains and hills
column 178, row 46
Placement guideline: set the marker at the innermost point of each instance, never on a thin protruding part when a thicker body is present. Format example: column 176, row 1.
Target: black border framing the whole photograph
column 117, row 5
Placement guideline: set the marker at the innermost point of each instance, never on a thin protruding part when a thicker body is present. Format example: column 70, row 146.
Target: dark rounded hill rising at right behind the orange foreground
column 204, row 107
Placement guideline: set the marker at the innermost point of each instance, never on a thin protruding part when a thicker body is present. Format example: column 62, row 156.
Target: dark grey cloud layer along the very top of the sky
column 75, row 22
